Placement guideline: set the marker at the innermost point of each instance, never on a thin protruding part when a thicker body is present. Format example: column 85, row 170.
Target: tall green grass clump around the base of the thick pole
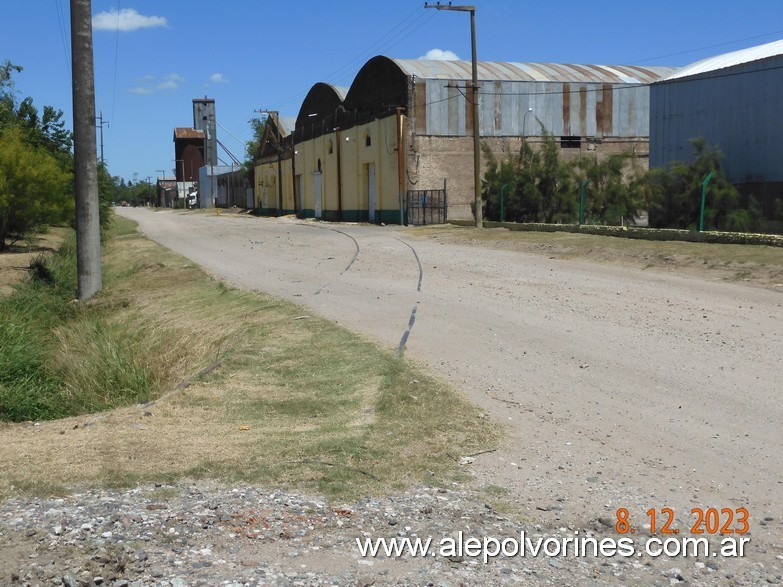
column 59, row 358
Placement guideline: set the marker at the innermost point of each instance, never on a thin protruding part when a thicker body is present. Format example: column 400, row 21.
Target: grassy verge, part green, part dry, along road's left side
column 290, row 400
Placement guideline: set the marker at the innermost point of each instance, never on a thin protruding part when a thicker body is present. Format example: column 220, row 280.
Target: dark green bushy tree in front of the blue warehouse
column 675, row 195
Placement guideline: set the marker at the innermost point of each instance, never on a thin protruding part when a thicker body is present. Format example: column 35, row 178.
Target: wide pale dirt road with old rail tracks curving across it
column 620, row 388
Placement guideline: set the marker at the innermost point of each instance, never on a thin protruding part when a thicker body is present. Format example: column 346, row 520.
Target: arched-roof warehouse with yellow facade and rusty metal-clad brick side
column 401, row 137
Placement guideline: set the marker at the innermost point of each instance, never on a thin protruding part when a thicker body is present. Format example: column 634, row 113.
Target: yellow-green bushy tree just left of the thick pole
column 33, row 188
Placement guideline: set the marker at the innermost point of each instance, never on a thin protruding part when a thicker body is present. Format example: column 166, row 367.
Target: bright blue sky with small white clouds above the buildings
column 255, row 54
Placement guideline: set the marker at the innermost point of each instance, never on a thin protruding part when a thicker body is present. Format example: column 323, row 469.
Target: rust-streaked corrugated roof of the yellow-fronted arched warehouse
column 535, row 72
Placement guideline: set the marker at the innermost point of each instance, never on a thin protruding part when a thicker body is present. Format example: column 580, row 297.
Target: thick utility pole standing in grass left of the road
column 88, row 228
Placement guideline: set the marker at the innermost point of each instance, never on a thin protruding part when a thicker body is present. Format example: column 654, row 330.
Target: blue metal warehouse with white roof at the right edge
column 734, row 102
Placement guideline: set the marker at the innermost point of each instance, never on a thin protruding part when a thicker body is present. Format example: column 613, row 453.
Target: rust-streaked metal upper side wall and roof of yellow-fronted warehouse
column 568, row 100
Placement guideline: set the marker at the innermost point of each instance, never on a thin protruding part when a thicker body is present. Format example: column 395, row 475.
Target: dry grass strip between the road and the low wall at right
column 754, row 264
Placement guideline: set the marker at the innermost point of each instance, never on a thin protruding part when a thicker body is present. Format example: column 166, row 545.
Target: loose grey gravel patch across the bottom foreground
column 204, row 534
